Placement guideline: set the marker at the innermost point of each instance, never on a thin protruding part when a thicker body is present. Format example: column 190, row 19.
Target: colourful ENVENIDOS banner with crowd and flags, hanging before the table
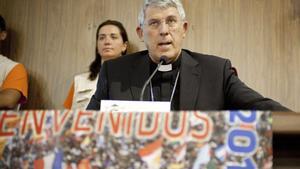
column 54, row 139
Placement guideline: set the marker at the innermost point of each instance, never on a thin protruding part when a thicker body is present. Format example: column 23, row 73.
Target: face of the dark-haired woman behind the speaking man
column 110, row 44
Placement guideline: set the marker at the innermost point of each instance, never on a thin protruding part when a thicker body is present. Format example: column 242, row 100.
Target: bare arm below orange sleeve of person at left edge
column 9, row 98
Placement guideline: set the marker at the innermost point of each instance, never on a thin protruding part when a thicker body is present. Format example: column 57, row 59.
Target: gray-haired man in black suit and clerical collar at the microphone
column 188, row 80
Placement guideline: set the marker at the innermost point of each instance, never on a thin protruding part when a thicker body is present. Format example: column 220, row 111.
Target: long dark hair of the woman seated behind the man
column 96, row 64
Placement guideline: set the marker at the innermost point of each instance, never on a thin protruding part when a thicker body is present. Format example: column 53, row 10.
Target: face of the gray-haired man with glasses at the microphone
column 163, row 32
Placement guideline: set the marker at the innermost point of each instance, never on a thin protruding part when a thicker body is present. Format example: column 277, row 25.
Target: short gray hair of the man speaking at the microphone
column 161, row 4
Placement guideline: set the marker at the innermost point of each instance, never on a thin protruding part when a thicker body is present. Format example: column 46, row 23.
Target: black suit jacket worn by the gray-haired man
column 206, row 83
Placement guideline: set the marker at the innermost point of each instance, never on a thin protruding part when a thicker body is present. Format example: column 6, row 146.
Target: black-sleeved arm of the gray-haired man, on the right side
column 239, row 96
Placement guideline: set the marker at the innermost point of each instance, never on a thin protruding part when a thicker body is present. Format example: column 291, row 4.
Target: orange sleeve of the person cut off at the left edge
column 17, row 79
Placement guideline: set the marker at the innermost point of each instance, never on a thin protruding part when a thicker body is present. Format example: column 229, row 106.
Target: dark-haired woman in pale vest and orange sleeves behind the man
column 112, row 42
